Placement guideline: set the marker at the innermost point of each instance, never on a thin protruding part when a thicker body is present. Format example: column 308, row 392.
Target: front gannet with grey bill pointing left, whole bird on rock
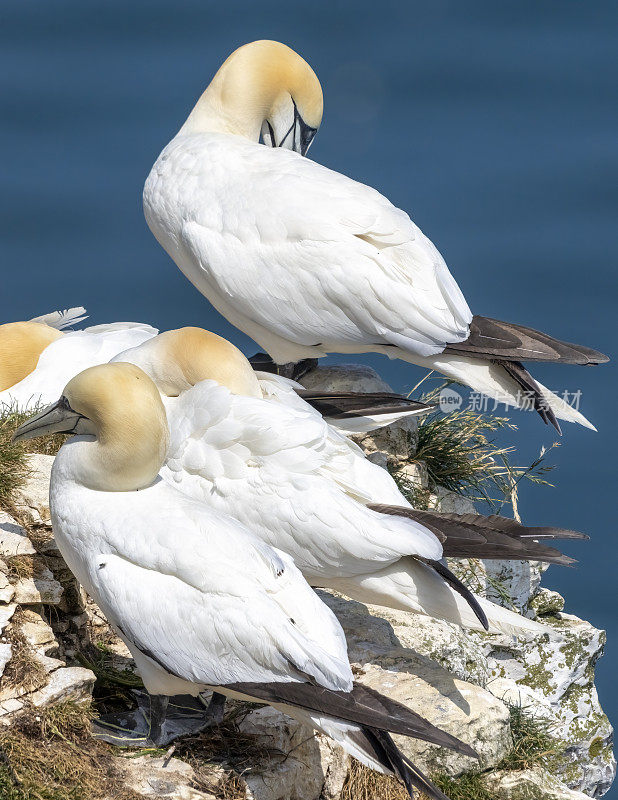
column 200, row 602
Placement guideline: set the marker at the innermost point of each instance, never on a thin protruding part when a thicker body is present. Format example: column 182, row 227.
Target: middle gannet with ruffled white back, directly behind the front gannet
column 257, row 451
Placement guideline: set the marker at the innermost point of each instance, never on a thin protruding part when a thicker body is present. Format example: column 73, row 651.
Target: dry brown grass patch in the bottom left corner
column 48, row 754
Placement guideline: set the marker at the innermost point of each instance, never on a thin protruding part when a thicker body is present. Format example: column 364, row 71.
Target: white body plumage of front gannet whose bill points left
column 223, row 601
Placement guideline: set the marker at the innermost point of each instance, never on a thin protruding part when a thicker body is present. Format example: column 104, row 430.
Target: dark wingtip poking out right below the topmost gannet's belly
column 342, row 405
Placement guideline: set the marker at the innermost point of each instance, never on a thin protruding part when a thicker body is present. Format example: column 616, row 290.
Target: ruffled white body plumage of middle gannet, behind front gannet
column 304, row 488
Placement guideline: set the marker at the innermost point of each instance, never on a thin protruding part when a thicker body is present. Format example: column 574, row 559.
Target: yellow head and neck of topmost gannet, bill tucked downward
column 263, row 89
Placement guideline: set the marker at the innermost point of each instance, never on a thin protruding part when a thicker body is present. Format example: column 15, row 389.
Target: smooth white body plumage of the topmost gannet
column 303, row 259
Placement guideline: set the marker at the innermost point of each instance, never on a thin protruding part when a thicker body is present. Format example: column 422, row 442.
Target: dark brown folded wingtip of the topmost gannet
column 505, row 341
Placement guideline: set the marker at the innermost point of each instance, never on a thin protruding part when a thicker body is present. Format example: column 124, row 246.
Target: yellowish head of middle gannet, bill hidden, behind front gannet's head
column 177, row 360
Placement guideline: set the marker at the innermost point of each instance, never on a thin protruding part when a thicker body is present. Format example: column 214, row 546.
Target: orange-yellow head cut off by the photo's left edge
column 21, row 344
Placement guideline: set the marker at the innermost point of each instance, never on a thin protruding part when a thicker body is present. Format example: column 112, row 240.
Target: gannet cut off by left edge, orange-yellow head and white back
column 37, row 358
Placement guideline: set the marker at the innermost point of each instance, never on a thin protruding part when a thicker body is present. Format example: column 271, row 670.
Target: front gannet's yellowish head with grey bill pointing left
column 119, row 409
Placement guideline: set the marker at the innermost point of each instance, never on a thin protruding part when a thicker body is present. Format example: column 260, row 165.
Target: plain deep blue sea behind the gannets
column 493, row 124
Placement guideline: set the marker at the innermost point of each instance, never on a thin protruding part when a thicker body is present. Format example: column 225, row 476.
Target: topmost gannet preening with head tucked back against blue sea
column 308, row 262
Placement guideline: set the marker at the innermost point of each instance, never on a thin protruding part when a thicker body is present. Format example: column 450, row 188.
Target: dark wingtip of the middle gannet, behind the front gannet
column 492, row 537
